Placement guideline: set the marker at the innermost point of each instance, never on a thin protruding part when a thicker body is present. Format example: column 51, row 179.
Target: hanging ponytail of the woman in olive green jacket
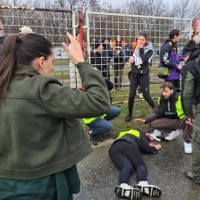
column 8, row 63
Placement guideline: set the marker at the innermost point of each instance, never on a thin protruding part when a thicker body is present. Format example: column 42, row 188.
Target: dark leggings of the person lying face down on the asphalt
column 127, row 158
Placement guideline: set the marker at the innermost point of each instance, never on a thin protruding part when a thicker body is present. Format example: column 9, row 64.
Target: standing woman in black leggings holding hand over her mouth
column 139, row 74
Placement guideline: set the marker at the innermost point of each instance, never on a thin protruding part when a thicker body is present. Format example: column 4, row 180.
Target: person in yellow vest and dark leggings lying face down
column 125, row 153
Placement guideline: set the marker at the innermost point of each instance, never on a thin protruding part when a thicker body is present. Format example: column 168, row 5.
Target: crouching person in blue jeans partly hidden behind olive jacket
column 101, row 125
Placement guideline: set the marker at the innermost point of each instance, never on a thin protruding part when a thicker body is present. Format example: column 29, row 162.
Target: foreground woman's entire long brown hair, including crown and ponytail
column 20, row 50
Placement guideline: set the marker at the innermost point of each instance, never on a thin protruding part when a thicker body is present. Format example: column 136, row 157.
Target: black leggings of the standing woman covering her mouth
column 144, row 82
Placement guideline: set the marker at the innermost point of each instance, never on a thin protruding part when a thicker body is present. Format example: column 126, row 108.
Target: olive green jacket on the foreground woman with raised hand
column 40, row 130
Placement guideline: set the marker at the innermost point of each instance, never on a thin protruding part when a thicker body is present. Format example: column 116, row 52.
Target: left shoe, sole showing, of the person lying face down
column 132, row 194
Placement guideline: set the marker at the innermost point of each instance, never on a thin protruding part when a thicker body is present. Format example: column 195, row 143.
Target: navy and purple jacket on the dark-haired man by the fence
column 169, row 57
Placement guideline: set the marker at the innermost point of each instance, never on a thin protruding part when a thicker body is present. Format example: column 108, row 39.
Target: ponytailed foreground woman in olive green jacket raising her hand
column 41, row 137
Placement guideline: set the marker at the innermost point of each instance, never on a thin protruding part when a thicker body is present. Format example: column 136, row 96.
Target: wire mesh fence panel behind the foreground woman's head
column 51, row 23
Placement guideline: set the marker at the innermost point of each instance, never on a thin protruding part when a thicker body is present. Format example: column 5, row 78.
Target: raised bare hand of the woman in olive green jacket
column 75, row 53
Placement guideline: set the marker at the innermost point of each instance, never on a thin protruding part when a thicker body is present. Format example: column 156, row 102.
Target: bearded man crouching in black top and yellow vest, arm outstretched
column 168, row 116
